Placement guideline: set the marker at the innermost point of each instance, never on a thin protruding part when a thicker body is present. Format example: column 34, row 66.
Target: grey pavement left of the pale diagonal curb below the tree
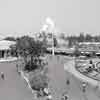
column 13, row 87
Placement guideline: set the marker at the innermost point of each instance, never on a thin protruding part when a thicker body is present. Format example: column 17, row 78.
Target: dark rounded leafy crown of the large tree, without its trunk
column 28, row 46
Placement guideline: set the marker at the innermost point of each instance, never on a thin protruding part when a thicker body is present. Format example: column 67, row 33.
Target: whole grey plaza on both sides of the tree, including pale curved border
column 60, row 69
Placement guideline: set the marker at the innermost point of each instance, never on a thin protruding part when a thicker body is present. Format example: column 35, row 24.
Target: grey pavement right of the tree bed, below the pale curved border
column 58, row 81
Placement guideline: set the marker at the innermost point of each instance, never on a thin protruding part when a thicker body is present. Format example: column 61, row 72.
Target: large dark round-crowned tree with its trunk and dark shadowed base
column 30, row 50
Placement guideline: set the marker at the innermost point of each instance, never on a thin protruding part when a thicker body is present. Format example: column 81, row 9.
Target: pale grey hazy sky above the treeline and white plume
column 70, row 16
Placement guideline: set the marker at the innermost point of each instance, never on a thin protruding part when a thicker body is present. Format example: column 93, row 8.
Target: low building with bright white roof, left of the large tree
column 5, row 50
